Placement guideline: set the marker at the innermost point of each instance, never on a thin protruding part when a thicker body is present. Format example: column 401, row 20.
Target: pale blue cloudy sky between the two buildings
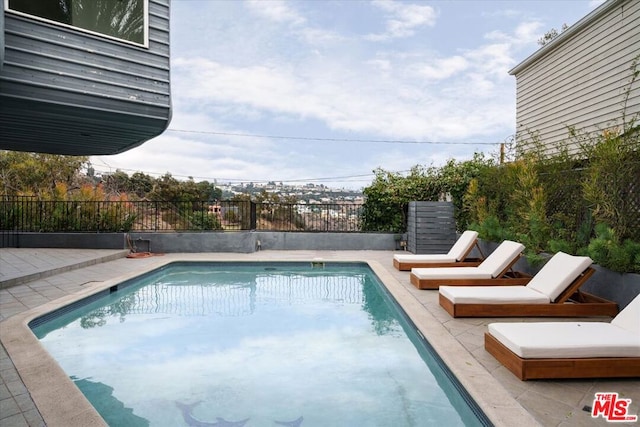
column 325, row 91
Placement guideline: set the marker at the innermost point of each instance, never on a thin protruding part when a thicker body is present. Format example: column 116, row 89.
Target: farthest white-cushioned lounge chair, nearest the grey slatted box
column 458, row 255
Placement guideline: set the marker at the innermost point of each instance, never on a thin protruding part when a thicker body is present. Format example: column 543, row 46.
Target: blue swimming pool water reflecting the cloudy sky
column 253, row 344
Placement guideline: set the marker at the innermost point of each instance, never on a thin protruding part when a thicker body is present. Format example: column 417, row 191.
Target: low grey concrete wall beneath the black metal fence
column 240, row 242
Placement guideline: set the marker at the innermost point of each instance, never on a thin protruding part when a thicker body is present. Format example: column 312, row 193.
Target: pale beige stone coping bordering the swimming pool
column 60, row 402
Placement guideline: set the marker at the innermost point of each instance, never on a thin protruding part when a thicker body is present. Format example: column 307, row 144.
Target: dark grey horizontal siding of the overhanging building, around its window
column 65, row 91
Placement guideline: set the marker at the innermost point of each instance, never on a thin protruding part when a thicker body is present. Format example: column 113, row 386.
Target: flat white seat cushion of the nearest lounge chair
column 566, row 339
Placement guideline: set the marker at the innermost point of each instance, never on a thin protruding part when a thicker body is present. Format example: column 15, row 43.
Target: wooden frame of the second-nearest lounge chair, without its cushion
column 570, row 303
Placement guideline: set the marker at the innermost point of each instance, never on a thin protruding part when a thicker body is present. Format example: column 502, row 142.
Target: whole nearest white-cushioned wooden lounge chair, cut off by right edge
column 569, row 349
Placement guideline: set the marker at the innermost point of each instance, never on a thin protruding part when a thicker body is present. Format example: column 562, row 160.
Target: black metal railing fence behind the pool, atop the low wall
column 26, row 214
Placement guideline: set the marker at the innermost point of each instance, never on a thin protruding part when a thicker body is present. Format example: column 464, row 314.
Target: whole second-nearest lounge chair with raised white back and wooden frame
column 553, row 292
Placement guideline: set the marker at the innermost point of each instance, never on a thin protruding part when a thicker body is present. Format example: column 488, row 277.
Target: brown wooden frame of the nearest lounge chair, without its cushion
column 527, row 369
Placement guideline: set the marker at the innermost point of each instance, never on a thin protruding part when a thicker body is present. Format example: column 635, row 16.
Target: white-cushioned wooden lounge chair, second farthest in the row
column 494, row 270
